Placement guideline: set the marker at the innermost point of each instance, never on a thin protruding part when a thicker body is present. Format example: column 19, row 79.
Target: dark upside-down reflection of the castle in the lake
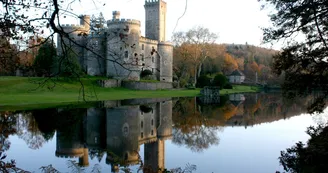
column 118, row 129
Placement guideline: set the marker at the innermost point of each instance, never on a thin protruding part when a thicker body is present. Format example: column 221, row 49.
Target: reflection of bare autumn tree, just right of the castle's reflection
column 193, row 128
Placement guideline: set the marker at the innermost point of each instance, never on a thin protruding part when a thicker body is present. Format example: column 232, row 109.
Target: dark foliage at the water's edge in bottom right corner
column 310, row 157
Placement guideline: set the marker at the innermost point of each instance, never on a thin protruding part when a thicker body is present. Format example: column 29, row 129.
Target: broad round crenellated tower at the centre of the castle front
column 123, row 49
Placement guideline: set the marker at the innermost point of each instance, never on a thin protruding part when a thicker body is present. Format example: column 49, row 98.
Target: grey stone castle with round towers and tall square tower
column 118, row 50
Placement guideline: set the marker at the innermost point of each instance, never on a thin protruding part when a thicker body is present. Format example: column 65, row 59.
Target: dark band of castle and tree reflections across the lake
column 114, row 131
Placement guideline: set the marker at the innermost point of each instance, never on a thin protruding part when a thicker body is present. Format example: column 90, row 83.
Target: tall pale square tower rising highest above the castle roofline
column 155, row 19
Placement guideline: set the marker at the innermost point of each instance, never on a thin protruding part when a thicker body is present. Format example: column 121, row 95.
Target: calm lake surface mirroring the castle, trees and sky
column 239, row 133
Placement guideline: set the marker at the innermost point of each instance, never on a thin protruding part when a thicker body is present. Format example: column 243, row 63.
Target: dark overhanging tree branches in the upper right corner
column 303, row 60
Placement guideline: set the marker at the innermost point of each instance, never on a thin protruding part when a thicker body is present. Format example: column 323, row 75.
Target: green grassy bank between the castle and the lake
column 34, row 92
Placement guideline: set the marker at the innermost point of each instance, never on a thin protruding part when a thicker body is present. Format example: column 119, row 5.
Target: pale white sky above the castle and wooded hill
column 235, row 21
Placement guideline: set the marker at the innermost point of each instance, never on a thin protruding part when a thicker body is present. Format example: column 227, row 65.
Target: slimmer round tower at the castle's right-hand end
column 165, row 51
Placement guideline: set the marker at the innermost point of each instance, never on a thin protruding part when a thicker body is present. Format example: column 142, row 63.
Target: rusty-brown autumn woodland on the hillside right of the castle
column 255, row 62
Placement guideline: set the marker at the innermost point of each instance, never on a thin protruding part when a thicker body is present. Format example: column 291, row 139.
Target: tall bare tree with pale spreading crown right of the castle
column 199, row 39
